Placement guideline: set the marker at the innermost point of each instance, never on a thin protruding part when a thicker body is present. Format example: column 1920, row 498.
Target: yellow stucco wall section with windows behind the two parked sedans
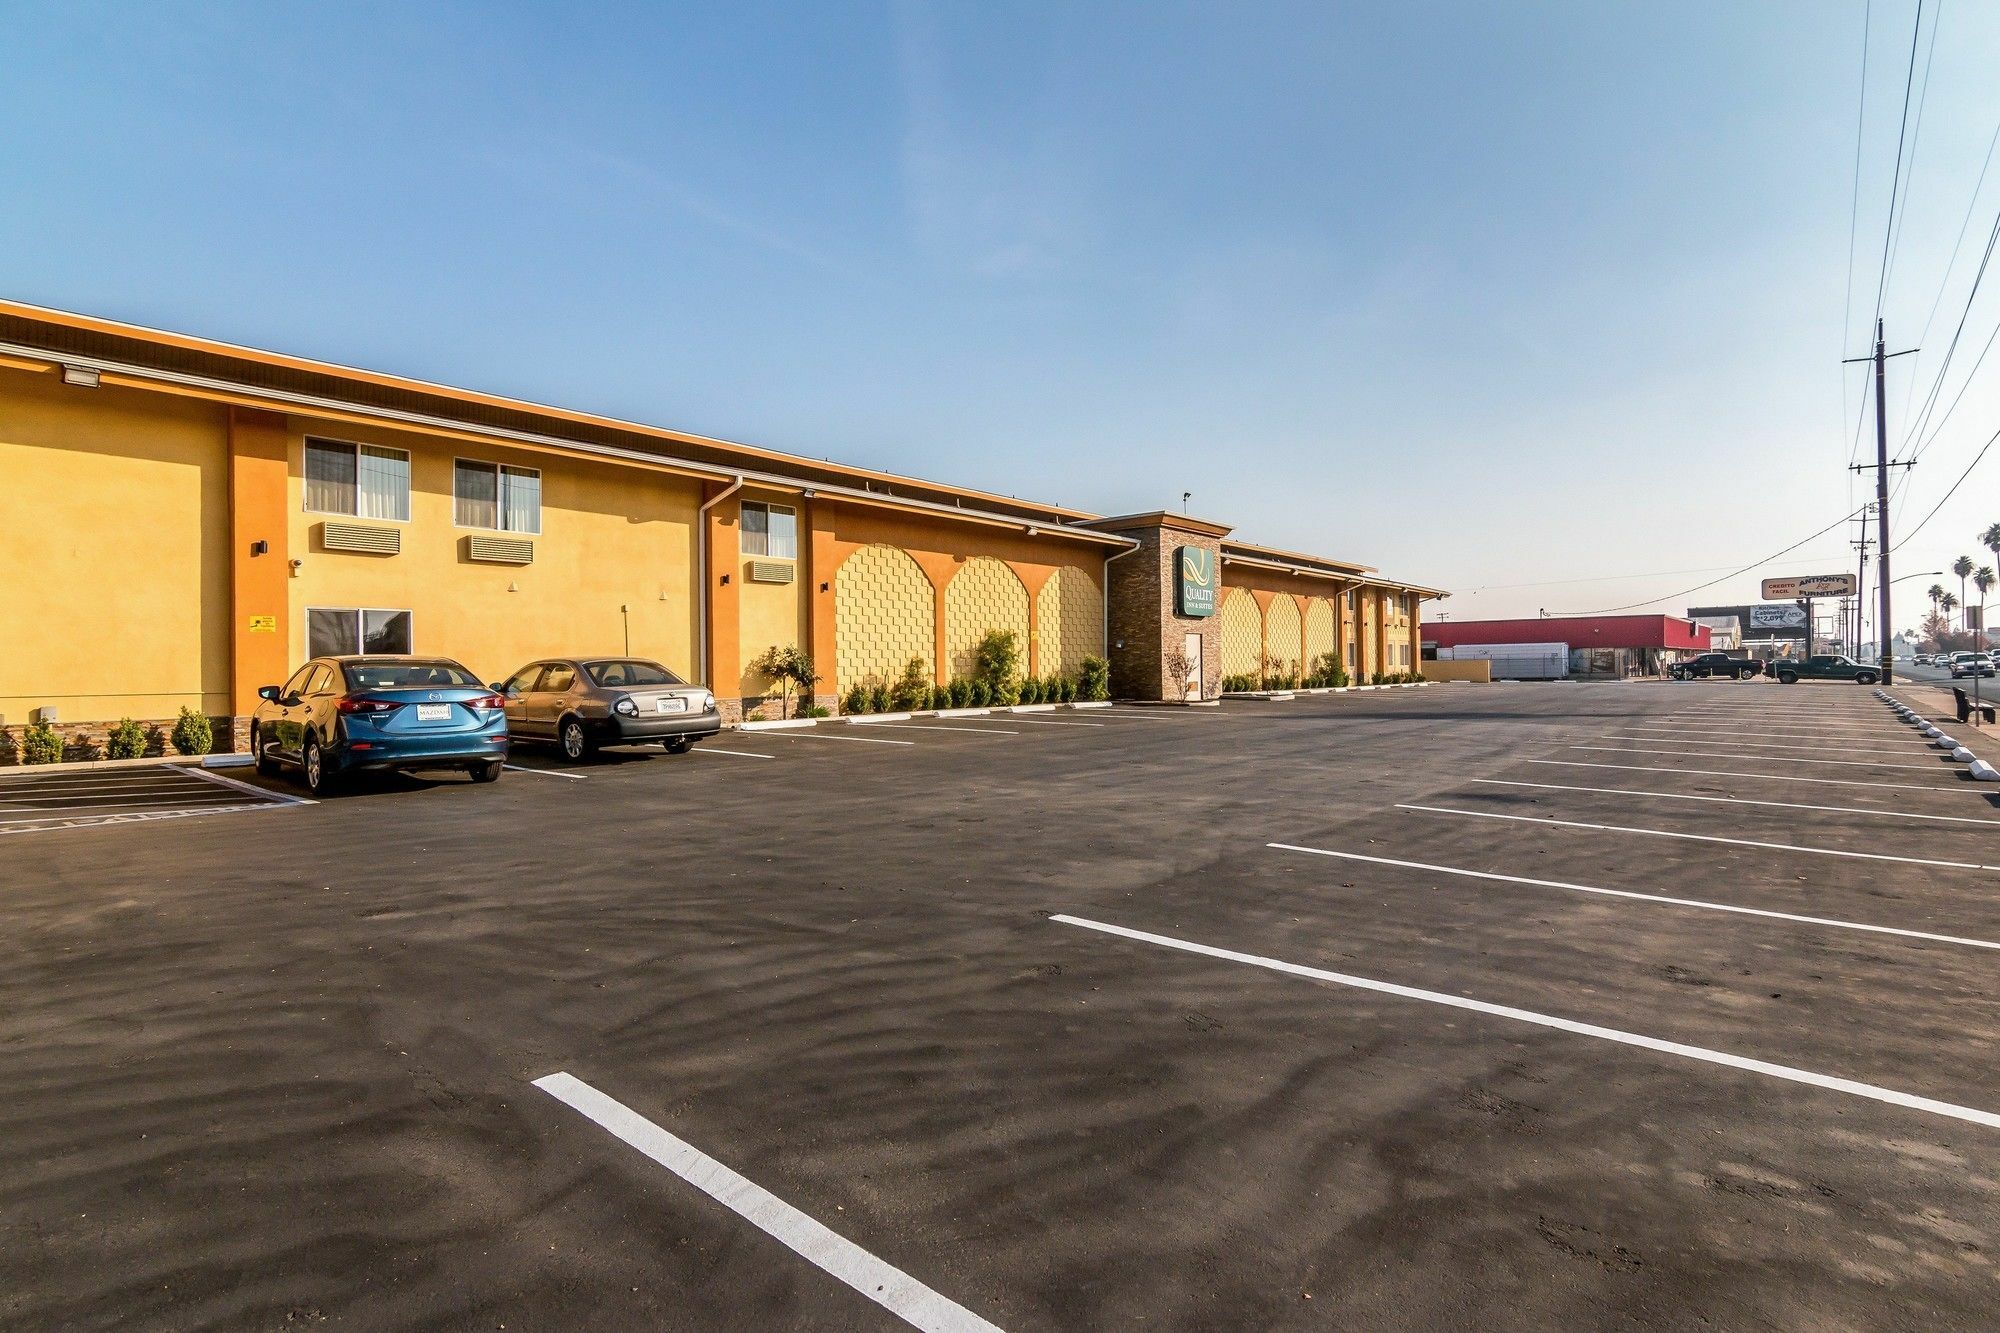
column 611, row 537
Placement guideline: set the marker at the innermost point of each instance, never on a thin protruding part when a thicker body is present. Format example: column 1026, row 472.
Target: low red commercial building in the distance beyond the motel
column 1605, row 647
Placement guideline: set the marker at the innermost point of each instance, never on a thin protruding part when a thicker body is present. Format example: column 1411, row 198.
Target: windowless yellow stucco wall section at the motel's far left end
column 113, row 551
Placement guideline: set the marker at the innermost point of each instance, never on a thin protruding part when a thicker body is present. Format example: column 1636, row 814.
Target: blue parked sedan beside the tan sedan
column 343, row 716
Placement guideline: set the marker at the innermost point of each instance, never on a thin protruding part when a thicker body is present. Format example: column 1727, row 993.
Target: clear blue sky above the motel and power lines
column 1509, row 299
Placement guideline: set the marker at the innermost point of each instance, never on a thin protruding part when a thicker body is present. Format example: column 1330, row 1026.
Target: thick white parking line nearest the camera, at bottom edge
column 827, row 1250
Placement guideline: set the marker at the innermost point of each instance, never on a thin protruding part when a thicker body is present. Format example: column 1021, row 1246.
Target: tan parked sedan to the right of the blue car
column 579, row 704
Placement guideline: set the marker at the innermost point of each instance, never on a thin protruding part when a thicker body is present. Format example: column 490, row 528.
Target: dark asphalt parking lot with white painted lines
column 1545, row 1006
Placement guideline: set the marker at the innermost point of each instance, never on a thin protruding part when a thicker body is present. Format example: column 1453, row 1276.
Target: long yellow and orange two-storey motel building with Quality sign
column 185, row 521
